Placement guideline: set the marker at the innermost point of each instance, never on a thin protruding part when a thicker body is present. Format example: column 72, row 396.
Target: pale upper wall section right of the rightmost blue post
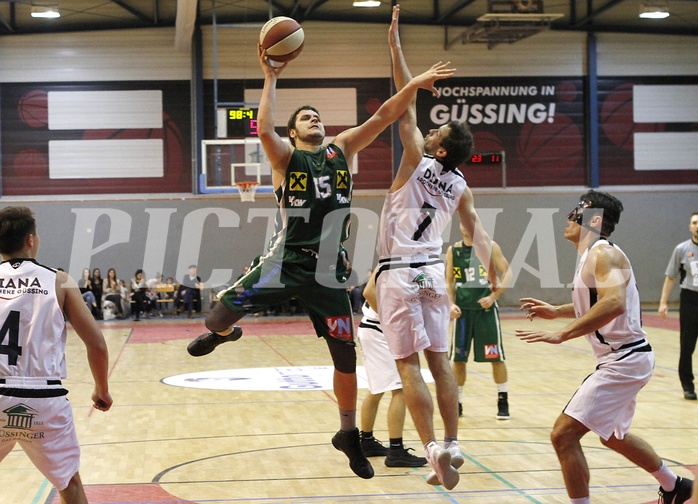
column 624, row 54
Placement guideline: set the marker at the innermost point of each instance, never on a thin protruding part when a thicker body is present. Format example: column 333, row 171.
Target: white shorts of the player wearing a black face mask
column 605, row 401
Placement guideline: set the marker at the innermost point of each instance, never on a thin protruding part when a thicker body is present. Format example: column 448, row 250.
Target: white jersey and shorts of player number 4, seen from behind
column 32, row 362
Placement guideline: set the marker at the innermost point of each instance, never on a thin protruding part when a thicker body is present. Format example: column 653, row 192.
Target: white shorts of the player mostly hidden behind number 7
column 379, row 363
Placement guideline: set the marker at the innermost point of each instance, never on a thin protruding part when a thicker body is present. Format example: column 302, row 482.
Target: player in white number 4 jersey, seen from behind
column 36, row 302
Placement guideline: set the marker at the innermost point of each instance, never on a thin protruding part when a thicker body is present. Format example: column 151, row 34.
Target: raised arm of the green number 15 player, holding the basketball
column 277, row 151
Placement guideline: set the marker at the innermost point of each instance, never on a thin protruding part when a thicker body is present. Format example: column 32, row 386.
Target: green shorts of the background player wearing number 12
column 481, row 330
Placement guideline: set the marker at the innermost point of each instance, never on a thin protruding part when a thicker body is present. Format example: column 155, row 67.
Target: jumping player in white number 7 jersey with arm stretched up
column 412, row 301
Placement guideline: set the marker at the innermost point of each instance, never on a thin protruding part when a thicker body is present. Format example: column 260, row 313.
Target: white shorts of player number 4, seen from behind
column 44, row 428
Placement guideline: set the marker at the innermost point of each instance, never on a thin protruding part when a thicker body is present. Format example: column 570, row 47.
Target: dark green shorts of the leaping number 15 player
column 273, row 281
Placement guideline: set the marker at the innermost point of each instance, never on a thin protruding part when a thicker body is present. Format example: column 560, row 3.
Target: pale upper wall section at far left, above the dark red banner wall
column 145, row 54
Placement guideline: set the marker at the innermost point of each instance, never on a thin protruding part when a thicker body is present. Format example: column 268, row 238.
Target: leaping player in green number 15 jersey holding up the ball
column 306, row 259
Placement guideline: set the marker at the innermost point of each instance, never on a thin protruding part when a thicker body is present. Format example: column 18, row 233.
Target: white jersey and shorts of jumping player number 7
column 410, row 282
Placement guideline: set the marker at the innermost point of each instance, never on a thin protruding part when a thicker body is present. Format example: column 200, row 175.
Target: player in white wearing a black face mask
column 606, row 308
